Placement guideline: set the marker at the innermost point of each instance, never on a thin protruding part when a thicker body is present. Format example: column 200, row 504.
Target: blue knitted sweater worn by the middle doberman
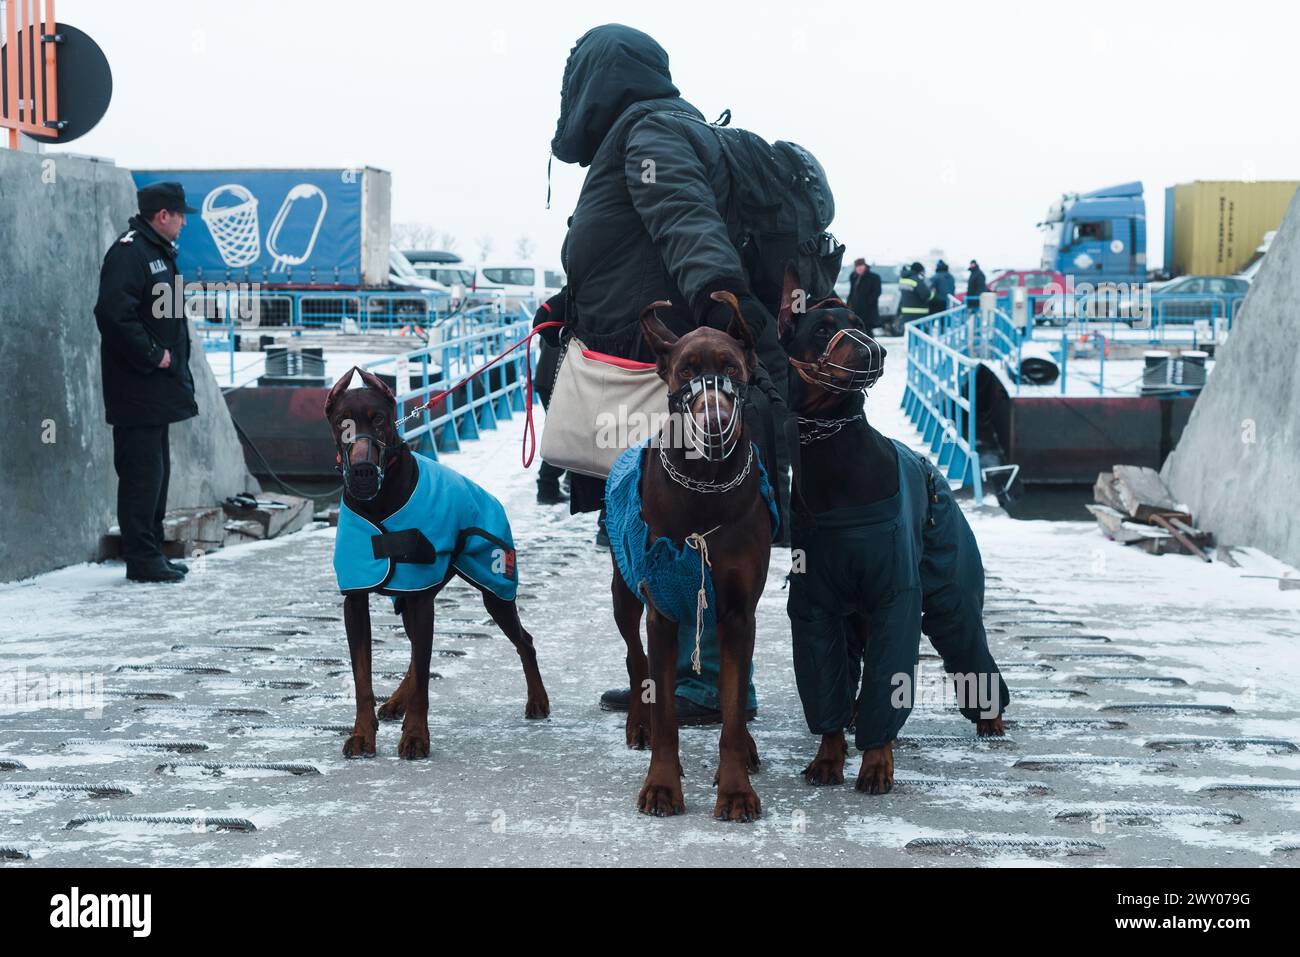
column 670, row 571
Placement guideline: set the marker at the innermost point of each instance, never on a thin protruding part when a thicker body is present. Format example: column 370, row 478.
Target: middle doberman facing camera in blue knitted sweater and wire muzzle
column 704, row 495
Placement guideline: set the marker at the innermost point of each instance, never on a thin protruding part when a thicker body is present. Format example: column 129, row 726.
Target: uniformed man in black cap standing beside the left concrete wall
column 146, row 361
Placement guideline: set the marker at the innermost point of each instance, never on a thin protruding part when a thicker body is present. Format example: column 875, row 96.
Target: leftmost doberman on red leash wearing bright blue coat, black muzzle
column 408, row 526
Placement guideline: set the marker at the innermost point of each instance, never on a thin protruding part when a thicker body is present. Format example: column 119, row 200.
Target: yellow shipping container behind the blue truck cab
column 1214, row 228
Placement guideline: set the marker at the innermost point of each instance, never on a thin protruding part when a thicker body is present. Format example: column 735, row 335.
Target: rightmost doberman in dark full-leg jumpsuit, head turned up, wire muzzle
column 882, row 553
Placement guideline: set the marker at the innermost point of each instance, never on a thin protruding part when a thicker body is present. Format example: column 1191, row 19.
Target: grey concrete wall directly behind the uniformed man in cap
column 58, row 488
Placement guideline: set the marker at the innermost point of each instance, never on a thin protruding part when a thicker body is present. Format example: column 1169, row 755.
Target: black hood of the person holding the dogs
column 609, row 70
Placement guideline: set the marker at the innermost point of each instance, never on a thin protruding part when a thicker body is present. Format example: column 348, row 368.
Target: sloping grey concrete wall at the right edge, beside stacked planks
column 1238, row 462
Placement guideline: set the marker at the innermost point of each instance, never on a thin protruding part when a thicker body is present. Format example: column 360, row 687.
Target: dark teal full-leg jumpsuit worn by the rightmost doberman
column 908, row 565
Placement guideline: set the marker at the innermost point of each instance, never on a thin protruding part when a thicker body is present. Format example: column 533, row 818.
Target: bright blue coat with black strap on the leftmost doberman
column 448, row 526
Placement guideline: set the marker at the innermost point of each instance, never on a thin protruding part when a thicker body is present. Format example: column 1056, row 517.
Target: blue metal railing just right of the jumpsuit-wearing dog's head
column 941, row 395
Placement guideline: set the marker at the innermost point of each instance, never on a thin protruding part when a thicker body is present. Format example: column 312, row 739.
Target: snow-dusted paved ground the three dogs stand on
column 502, row 791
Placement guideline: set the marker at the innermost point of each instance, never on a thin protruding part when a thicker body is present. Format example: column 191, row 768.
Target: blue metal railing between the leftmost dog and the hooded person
column 482, row 402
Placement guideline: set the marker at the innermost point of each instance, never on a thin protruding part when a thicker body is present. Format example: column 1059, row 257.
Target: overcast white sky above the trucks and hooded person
column 942, row 125
